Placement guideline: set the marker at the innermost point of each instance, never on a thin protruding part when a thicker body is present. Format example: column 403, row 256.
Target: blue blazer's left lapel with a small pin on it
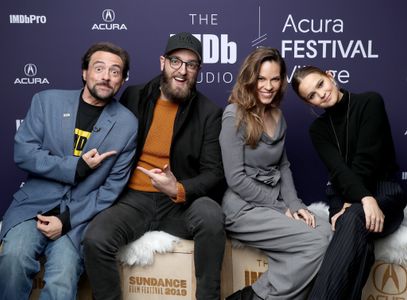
column 69, row 112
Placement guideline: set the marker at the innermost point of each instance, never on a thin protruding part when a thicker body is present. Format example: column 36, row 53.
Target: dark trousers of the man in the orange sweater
column 138, row 212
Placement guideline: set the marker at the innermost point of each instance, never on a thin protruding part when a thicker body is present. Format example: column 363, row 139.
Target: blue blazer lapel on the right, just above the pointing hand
column 102, row 127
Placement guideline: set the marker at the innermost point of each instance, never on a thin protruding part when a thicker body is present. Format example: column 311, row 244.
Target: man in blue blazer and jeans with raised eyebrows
column 77, row 147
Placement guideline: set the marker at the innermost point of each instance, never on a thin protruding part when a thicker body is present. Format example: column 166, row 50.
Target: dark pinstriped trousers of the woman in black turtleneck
column 350, row 254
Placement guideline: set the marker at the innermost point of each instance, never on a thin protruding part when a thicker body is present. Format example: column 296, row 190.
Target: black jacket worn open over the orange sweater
column 195, row 155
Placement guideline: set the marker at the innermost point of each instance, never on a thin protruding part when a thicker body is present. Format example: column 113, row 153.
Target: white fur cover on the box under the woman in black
column 392, row 248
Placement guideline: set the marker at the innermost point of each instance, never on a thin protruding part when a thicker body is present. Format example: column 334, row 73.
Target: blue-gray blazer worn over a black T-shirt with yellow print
column 44, row 148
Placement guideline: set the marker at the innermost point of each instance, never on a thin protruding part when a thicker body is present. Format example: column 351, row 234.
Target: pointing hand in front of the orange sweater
column 163, row 180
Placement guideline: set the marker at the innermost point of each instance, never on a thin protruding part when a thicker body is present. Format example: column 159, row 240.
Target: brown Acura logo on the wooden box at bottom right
column 390, row 279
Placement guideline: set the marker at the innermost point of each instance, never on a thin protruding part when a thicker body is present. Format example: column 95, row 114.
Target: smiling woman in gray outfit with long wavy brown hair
column 261, row 204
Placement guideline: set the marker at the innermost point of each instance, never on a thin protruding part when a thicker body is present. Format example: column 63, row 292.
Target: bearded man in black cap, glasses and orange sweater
column 177, row 179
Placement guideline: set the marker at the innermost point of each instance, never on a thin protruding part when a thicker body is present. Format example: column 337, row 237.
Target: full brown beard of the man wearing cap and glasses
column 176, row 95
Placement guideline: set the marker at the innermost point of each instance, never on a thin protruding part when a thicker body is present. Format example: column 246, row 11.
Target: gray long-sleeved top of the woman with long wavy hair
column 260, row 176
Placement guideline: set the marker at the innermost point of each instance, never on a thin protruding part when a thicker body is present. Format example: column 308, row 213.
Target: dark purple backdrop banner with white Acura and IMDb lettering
column 363, row 42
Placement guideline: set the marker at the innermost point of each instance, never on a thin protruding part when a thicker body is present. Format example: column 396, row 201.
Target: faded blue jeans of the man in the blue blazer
column 19, row 264
